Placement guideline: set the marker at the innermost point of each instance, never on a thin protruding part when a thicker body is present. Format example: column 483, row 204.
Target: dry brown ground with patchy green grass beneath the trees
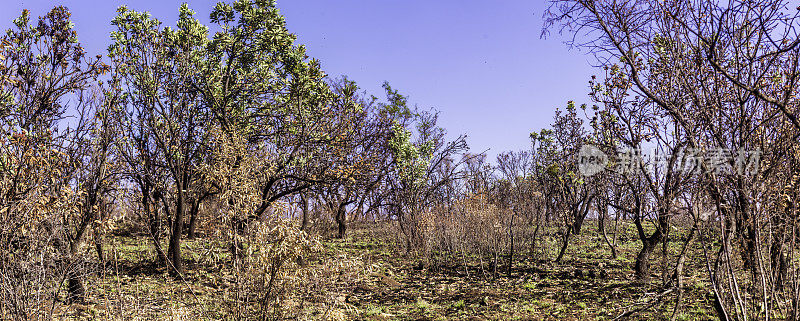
column 366, row 277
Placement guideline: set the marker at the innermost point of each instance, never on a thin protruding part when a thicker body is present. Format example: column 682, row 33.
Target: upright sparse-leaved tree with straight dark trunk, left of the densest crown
column 154, row 72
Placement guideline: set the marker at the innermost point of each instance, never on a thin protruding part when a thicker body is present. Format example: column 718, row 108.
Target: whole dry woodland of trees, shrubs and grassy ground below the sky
column 212, row 170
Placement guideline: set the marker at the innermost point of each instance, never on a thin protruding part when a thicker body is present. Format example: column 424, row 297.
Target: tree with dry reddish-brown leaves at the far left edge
column 45, row 74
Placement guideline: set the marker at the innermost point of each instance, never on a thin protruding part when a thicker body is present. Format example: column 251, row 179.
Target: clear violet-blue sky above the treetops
column 481, row 63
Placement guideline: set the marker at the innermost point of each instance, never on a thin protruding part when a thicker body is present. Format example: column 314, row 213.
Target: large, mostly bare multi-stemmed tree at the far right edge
column 725, row 77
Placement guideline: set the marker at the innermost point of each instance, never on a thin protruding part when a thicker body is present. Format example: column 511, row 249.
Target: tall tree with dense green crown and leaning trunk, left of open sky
column 258, row 85
